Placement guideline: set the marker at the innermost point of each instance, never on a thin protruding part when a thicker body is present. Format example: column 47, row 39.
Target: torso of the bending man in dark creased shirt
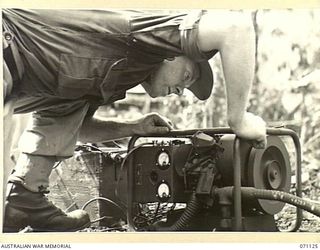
column 68, row 53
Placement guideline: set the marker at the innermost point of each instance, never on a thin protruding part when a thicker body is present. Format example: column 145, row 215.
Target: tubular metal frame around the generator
column 237, row 170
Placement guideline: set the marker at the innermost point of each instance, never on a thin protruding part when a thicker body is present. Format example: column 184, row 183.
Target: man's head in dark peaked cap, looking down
column 172, row 77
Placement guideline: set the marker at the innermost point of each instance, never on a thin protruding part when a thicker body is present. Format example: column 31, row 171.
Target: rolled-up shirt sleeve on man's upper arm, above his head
column 168, row 35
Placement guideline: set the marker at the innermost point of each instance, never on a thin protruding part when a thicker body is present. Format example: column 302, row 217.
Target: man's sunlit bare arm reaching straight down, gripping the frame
column 232, row 34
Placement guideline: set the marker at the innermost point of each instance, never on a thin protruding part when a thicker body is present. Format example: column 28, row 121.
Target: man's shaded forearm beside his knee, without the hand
column 98, row 129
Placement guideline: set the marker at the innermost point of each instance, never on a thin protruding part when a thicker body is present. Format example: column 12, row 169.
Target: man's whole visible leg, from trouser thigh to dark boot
column 47, row 139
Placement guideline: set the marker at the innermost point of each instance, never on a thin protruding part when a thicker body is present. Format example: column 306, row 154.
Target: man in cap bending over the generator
column 69, row 62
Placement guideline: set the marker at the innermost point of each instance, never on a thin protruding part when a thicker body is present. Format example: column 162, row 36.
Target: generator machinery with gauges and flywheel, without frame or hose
column 190, row 170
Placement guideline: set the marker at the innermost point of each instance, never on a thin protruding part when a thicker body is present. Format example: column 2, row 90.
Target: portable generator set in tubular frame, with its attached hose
column 204, row 180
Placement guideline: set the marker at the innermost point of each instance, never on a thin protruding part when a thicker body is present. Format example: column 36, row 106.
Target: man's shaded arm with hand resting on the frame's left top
column 102, row 129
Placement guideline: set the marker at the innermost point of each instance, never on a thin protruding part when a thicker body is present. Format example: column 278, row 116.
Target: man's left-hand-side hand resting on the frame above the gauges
column 152, row 123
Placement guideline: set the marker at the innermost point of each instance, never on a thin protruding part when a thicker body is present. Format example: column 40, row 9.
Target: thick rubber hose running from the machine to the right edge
column 254, row 193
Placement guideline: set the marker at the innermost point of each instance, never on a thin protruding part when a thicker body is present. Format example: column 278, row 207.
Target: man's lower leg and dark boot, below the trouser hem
column 26, row 202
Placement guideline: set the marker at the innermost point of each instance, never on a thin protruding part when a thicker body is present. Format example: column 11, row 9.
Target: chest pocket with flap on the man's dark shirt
column 78, row 76
